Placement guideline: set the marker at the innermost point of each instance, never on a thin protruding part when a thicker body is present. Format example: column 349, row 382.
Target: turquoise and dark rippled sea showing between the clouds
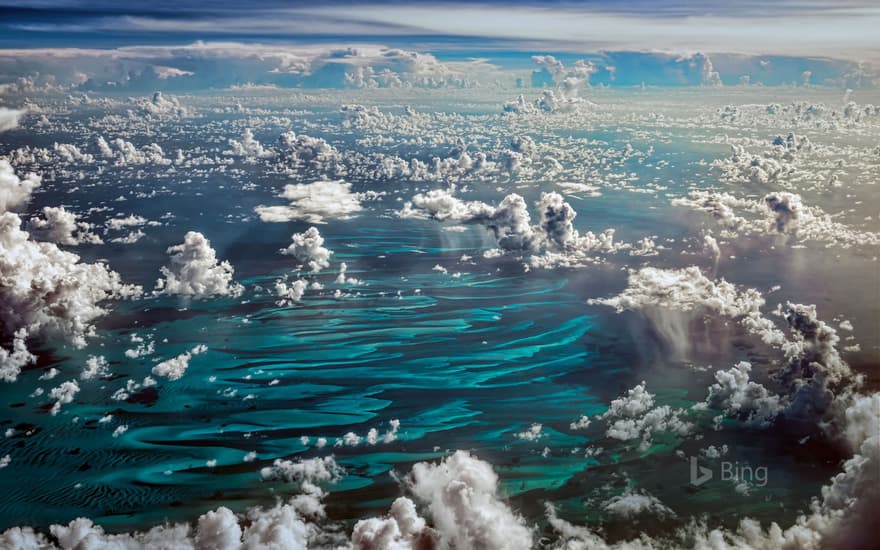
column 462, row 362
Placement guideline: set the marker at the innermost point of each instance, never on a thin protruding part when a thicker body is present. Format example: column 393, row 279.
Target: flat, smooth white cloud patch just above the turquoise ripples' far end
column 314, row 203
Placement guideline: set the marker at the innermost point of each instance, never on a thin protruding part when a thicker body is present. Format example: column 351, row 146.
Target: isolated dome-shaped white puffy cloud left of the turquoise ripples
column 195, row 271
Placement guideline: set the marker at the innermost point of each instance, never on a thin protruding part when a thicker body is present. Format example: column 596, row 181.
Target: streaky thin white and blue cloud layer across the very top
column 830, row 29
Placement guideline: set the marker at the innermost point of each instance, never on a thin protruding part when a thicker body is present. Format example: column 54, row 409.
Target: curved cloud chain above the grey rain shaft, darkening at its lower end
column 815, row 375
